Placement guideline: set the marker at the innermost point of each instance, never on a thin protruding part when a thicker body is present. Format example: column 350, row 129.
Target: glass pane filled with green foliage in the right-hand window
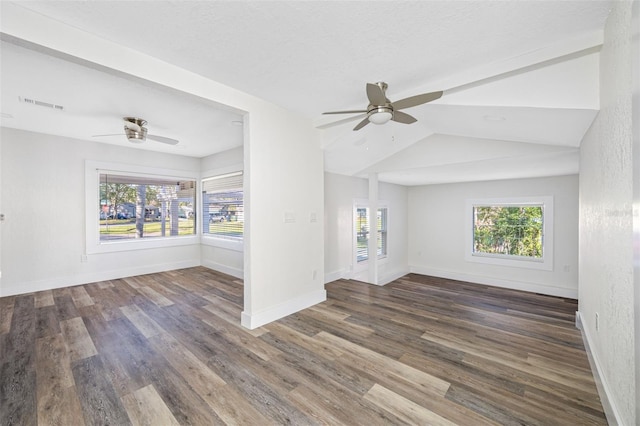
column 508, row 230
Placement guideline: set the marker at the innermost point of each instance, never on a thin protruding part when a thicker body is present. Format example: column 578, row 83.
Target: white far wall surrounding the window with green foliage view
column 438, row 227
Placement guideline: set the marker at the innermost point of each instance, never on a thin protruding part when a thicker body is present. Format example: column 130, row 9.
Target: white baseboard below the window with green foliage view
column 569, row 293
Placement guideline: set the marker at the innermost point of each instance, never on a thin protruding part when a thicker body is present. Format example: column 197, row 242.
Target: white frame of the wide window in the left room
column 94, row 245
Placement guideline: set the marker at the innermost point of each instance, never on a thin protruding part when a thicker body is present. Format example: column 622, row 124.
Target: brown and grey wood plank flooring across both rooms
column 168, row 349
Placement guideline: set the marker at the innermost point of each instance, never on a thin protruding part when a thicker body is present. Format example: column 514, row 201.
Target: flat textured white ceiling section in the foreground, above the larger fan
column 303, row 55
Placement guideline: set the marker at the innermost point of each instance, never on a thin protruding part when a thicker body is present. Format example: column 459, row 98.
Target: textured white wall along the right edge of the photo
column 606, row 233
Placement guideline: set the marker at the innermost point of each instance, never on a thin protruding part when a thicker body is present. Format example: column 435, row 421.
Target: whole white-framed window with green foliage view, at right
column 512, row 232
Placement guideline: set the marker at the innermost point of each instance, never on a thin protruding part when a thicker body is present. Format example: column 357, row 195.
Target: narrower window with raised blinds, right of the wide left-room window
column 223, row 207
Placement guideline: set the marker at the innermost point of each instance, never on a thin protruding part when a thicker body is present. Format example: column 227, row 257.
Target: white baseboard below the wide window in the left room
column 50, row 284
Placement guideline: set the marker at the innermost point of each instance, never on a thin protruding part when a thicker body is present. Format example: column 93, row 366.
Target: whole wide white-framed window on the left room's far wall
column 131, row 207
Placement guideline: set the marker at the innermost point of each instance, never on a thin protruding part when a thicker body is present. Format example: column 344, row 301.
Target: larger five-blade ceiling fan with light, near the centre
column 381, row 109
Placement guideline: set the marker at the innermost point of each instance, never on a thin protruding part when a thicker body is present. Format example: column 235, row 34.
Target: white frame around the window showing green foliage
column 544, row 263
